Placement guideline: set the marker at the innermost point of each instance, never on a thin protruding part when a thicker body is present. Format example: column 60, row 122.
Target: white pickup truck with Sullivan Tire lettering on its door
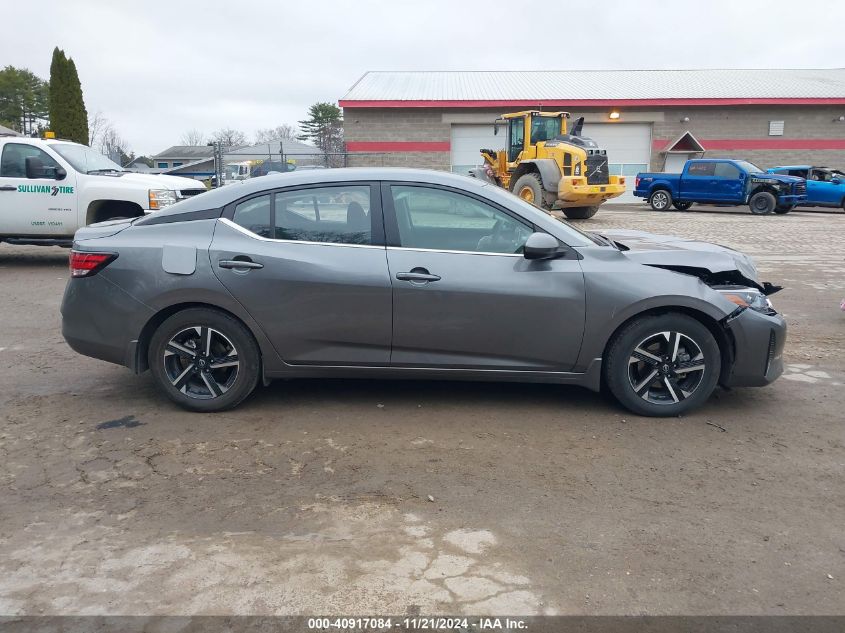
column 49, row 188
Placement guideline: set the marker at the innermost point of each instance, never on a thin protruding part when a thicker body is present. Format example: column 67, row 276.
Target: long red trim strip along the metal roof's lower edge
column 554, row 103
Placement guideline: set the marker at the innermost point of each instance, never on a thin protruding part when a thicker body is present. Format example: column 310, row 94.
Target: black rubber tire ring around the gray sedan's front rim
column 620, row 348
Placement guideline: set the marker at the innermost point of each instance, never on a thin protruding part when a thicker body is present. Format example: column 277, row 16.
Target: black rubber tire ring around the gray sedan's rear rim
column 249, row 356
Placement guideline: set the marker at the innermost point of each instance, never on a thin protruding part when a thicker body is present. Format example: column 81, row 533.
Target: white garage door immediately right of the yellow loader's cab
column 628, row 148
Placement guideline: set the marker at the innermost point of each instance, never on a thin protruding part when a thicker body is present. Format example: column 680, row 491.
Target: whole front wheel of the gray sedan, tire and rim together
column 662, row 365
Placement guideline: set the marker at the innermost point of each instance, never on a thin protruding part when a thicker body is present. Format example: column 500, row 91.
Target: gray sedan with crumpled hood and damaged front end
column 399, row 273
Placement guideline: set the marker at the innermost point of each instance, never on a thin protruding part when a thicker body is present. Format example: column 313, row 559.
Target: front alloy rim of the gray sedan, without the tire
column 666, row 368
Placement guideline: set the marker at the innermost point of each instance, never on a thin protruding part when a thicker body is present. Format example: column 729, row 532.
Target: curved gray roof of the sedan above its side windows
column 222, row 196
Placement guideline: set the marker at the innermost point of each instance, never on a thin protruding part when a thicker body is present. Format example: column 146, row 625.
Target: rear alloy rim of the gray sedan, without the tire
column 201, row 362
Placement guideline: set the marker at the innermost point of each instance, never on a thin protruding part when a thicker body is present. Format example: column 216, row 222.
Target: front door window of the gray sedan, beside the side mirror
column 438, row 219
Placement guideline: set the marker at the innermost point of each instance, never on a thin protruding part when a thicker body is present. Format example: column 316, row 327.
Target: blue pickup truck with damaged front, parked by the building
column 722, row 182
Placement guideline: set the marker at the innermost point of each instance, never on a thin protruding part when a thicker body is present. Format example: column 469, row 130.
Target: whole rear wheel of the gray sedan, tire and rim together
column 204, row 360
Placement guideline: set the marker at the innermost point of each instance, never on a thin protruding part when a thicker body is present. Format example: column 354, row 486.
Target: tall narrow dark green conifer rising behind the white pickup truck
column 68, row 117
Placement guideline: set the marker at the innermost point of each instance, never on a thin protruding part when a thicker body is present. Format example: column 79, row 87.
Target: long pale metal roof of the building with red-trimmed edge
column 747, row 85
